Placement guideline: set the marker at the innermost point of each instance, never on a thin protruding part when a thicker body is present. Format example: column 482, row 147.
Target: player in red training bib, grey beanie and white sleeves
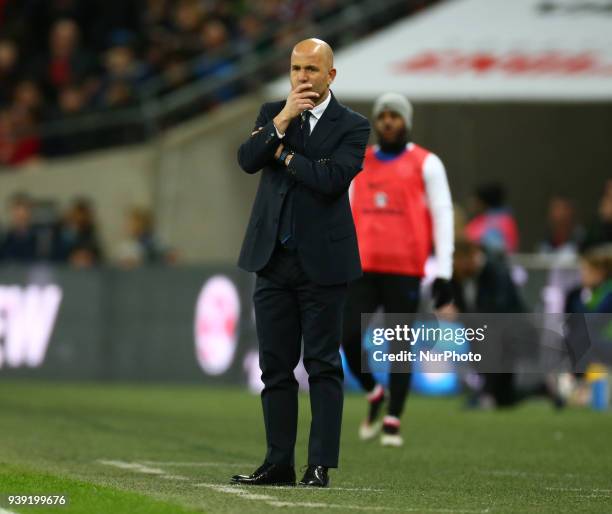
column 402, row 209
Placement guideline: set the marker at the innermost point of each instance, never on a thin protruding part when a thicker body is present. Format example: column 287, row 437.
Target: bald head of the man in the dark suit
column 312, row 62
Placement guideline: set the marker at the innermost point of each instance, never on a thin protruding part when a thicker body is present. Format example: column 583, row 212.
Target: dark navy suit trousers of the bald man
column 290, row 307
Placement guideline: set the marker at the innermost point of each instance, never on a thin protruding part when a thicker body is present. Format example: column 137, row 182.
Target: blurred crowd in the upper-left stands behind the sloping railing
column 63, row 59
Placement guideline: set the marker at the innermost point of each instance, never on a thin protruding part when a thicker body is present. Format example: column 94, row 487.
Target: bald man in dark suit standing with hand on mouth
column 301, row 242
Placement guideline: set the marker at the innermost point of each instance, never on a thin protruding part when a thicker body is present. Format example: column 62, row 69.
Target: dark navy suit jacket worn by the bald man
column 319, row 175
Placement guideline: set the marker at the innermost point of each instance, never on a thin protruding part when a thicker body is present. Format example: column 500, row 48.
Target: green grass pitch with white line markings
column 171, row 449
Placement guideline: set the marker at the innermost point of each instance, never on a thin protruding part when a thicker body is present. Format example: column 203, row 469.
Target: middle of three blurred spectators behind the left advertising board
column 77, row 239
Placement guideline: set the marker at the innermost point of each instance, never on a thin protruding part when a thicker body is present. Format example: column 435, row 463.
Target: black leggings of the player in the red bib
column 394, row 293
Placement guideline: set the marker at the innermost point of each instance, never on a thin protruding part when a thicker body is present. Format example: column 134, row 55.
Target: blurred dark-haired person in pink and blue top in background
column 493, row 224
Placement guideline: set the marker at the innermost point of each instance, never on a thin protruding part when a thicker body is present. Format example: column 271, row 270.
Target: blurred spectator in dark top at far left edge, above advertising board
column 20, row 240
